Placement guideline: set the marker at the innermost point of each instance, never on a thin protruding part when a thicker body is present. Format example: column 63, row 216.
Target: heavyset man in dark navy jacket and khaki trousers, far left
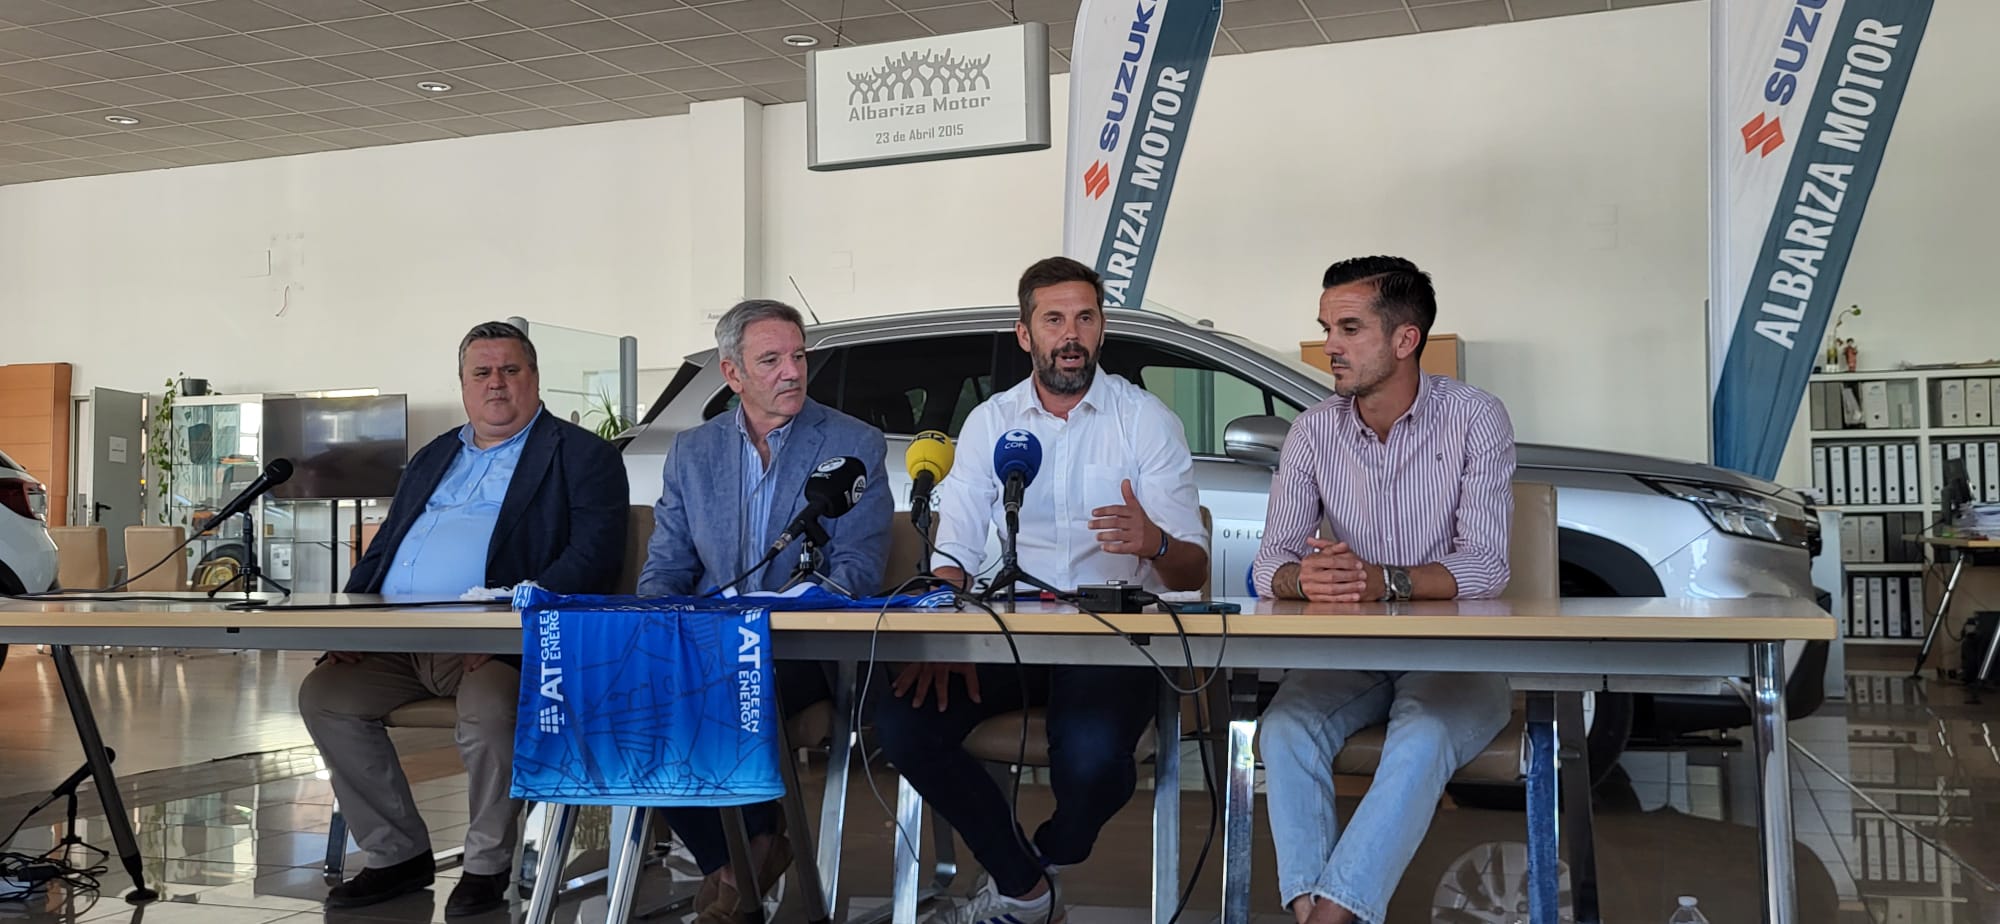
column 513, row 495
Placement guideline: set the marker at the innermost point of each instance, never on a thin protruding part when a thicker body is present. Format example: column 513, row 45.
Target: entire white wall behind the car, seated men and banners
column 1549, row 173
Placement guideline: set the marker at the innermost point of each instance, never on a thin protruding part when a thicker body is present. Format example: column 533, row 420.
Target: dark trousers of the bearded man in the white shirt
column 1095, row 721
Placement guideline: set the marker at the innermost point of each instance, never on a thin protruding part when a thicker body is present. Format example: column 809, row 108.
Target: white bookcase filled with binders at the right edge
column 1915, row 417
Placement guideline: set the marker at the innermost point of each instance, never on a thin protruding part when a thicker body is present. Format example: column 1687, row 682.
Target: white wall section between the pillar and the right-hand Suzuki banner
column 1559, row 227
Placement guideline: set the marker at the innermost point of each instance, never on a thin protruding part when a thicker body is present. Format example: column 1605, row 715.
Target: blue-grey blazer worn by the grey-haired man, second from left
column 697, row 537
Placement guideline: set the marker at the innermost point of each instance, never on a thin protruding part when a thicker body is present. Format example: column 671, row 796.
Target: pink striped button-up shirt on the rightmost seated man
column 1439, row 491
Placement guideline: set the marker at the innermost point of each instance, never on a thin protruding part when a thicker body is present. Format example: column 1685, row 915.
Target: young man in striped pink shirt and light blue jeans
column 1415, row 479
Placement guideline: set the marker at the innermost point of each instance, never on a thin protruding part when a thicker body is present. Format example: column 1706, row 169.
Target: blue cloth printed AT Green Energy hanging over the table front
column 647, row 703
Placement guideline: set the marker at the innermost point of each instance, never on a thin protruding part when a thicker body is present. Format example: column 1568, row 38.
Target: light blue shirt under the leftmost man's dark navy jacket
column 445, row 551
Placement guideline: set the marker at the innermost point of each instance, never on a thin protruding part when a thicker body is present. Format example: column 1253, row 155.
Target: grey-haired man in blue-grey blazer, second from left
column 729, row 491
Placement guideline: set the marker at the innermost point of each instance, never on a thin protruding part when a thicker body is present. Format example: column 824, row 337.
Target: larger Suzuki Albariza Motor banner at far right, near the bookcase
column 1803, row 97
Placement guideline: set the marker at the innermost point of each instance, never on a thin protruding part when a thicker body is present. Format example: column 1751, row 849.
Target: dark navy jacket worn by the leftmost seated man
column 563, row 523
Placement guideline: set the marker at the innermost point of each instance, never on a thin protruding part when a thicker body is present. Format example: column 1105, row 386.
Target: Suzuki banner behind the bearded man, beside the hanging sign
column 1135, row 73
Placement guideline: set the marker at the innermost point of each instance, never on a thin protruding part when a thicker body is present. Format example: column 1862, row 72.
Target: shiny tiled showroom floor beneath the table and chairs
column 233, row 815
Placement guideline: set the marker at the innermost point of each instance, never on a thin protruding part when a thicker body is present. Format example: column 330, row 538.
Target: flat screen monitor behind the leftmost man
column 339, row 447
